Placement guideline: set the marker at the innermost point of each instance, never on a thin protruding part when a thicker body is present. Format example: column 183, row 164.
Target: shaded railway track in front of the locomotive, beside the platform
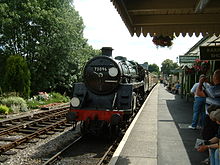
column 80, row 151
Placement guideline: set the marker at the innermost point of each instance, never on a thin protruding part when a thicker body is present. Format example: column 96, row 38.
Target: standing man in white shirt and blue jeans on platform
column 199, row 105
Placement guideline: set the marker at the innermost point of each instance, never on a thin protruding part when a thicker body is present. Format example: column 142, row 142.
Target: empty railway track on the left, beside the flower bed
column 22, row 129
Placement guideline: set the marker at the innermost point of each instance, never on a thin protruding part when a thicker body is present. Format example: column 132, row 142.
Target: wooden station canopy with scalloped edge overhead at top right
column 169, row 17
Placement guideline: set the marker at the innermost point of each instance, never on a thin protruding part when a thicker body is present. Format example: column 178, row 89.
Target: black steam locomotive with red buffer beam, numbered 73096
column 110, row 93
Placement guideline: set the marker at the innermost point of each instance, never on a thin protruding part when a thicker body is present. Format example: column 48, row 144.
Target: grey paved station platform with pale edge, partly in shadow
column 159, row 134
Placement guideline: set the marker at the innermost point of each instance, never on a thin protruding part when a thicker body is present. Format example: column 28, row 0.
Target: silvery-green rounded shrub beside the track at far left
column 16, row 104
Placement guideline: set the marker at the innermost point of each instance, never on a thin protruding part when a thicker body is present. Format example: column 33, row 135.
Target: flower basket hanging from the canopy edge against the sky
column 163, row 41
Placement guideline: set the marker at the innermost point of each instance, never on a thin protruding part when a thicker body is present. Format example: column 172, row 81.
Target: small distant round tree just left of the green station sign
column 168, row 66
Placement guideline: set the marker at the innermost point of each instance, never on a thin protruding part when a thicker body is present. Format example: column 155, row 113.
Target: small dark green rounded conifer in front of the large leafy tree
column 17, row 76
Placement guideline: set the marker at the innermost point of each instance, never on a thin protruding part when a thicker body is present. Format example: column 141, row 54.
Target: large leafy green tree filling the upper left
column 49, row 35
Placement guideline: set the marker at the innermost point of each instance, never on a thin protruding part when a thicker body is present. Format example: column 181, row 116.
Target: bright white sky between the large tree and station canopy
column 105, row 28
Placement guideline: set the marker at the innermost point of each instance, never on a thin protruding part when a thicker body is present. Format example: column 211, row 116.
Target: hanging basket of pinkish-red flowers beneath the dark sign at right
column 201, row 66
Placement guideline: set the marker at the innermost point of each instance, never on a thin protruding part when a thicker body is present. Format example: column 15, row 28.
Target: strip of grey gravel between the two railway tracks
column 33, row 154
